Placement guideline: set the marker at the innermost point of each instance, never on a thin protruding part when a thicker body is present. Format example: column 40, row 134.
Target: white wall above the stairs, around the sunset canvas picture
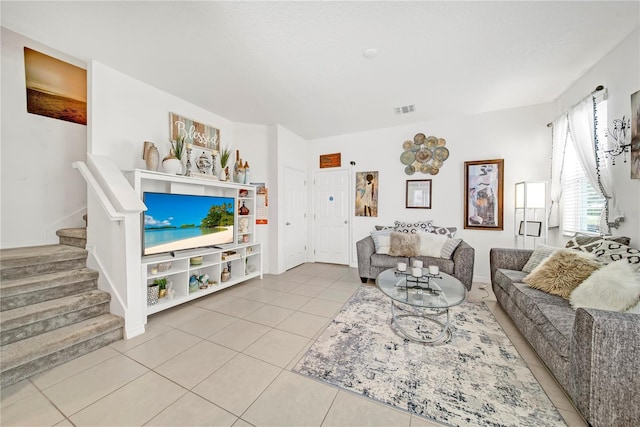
column 40, row 190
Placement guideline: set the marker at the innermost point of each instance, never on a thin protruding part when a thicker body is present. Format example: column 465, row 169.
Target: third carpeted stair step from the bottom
column 36, row 289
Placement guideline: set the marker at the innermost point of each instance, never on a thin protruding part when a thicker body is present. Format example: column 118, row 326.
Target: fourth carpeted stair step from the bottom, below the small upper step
column 16, row 263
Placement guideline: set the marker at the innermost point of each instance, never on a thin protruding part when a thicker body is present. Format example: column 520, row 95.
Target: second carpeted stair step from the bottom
column 31, row 320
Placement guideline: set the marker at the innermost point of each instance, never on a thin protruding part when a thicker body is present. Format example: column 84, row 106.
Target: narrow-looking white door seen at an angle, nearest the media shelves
column 295, row 218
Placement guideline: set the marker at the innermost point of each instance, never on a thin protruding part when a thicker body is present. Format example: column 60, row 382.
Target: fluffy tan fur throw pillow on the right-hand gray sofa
column 562, row 272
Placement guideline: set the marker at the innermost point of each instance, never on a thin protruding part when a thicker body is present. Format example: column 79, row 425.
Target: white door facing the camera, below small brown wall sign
column 332, row 207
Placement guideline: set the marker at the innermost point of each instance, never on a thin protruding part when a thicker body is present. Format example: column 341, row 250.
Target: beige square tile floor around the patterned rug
column 225, row 360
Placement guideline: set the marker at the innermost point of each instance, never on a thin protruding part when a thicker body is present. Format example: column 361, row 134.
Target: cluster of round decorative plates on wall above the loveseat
column 425, row 154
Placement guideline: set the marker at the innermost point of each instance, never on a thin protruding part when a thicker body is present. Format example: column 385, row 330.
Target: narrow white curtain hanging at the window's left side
column 558, row 144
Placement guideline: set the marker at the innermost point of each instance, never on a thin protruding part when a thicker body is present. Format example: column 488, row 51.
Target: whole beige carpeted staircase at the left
column 51, row 310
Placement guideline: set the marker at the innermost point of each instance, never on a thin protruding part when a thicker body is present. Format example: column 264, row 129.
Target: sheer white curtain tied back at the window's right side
column 582, row 129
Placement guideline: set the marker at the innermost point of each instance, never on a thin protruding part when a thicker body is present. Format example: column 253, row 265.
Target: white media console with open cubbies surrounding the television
column 244, row 263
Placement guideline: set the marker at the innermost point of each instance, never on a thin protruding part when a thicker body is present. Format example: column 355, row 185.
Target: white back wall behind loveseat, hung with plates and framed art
column 519, row 136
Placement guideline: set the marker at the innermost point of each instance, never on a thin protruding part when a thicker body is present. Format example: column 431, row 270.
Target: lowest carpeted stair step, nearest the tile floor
column 22, row 359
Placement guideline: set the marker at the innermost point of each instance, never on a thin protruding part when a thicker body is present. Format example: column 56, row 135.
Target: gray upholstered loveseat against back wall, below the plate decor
column 370, row 264
